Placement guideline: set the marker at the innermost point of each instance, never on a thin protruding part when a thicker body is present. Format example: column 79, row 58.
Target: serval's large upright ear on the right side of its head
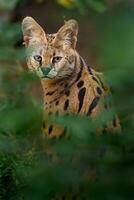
column 67, row 35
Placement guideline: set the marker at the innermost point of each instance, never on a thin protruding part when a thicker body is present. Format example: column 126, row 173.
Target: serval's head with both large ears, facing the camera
column 51, row 56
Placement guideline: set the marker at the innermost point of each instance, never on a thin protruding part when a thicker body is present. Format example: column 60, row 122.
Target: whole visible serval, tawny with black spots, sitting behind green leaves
column 69, row 85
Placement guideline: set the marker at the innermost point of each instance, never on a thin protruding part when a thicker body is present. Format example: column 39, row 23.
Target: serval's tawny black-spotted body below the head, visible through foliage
column 83, row 94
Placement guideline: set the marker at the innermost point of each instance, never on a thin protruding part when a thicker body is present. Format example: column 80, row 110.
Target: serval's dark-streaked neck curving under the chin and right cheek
column 57, row 88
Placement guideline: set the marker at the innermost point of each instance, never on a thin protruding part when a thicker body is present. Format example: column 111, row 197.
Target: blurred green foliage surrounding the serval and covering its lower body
column 34, row 168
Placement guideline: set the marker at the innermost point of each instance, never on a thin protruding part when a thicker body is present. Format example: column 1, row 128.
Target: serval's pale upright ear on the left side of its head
column 32, row 32
